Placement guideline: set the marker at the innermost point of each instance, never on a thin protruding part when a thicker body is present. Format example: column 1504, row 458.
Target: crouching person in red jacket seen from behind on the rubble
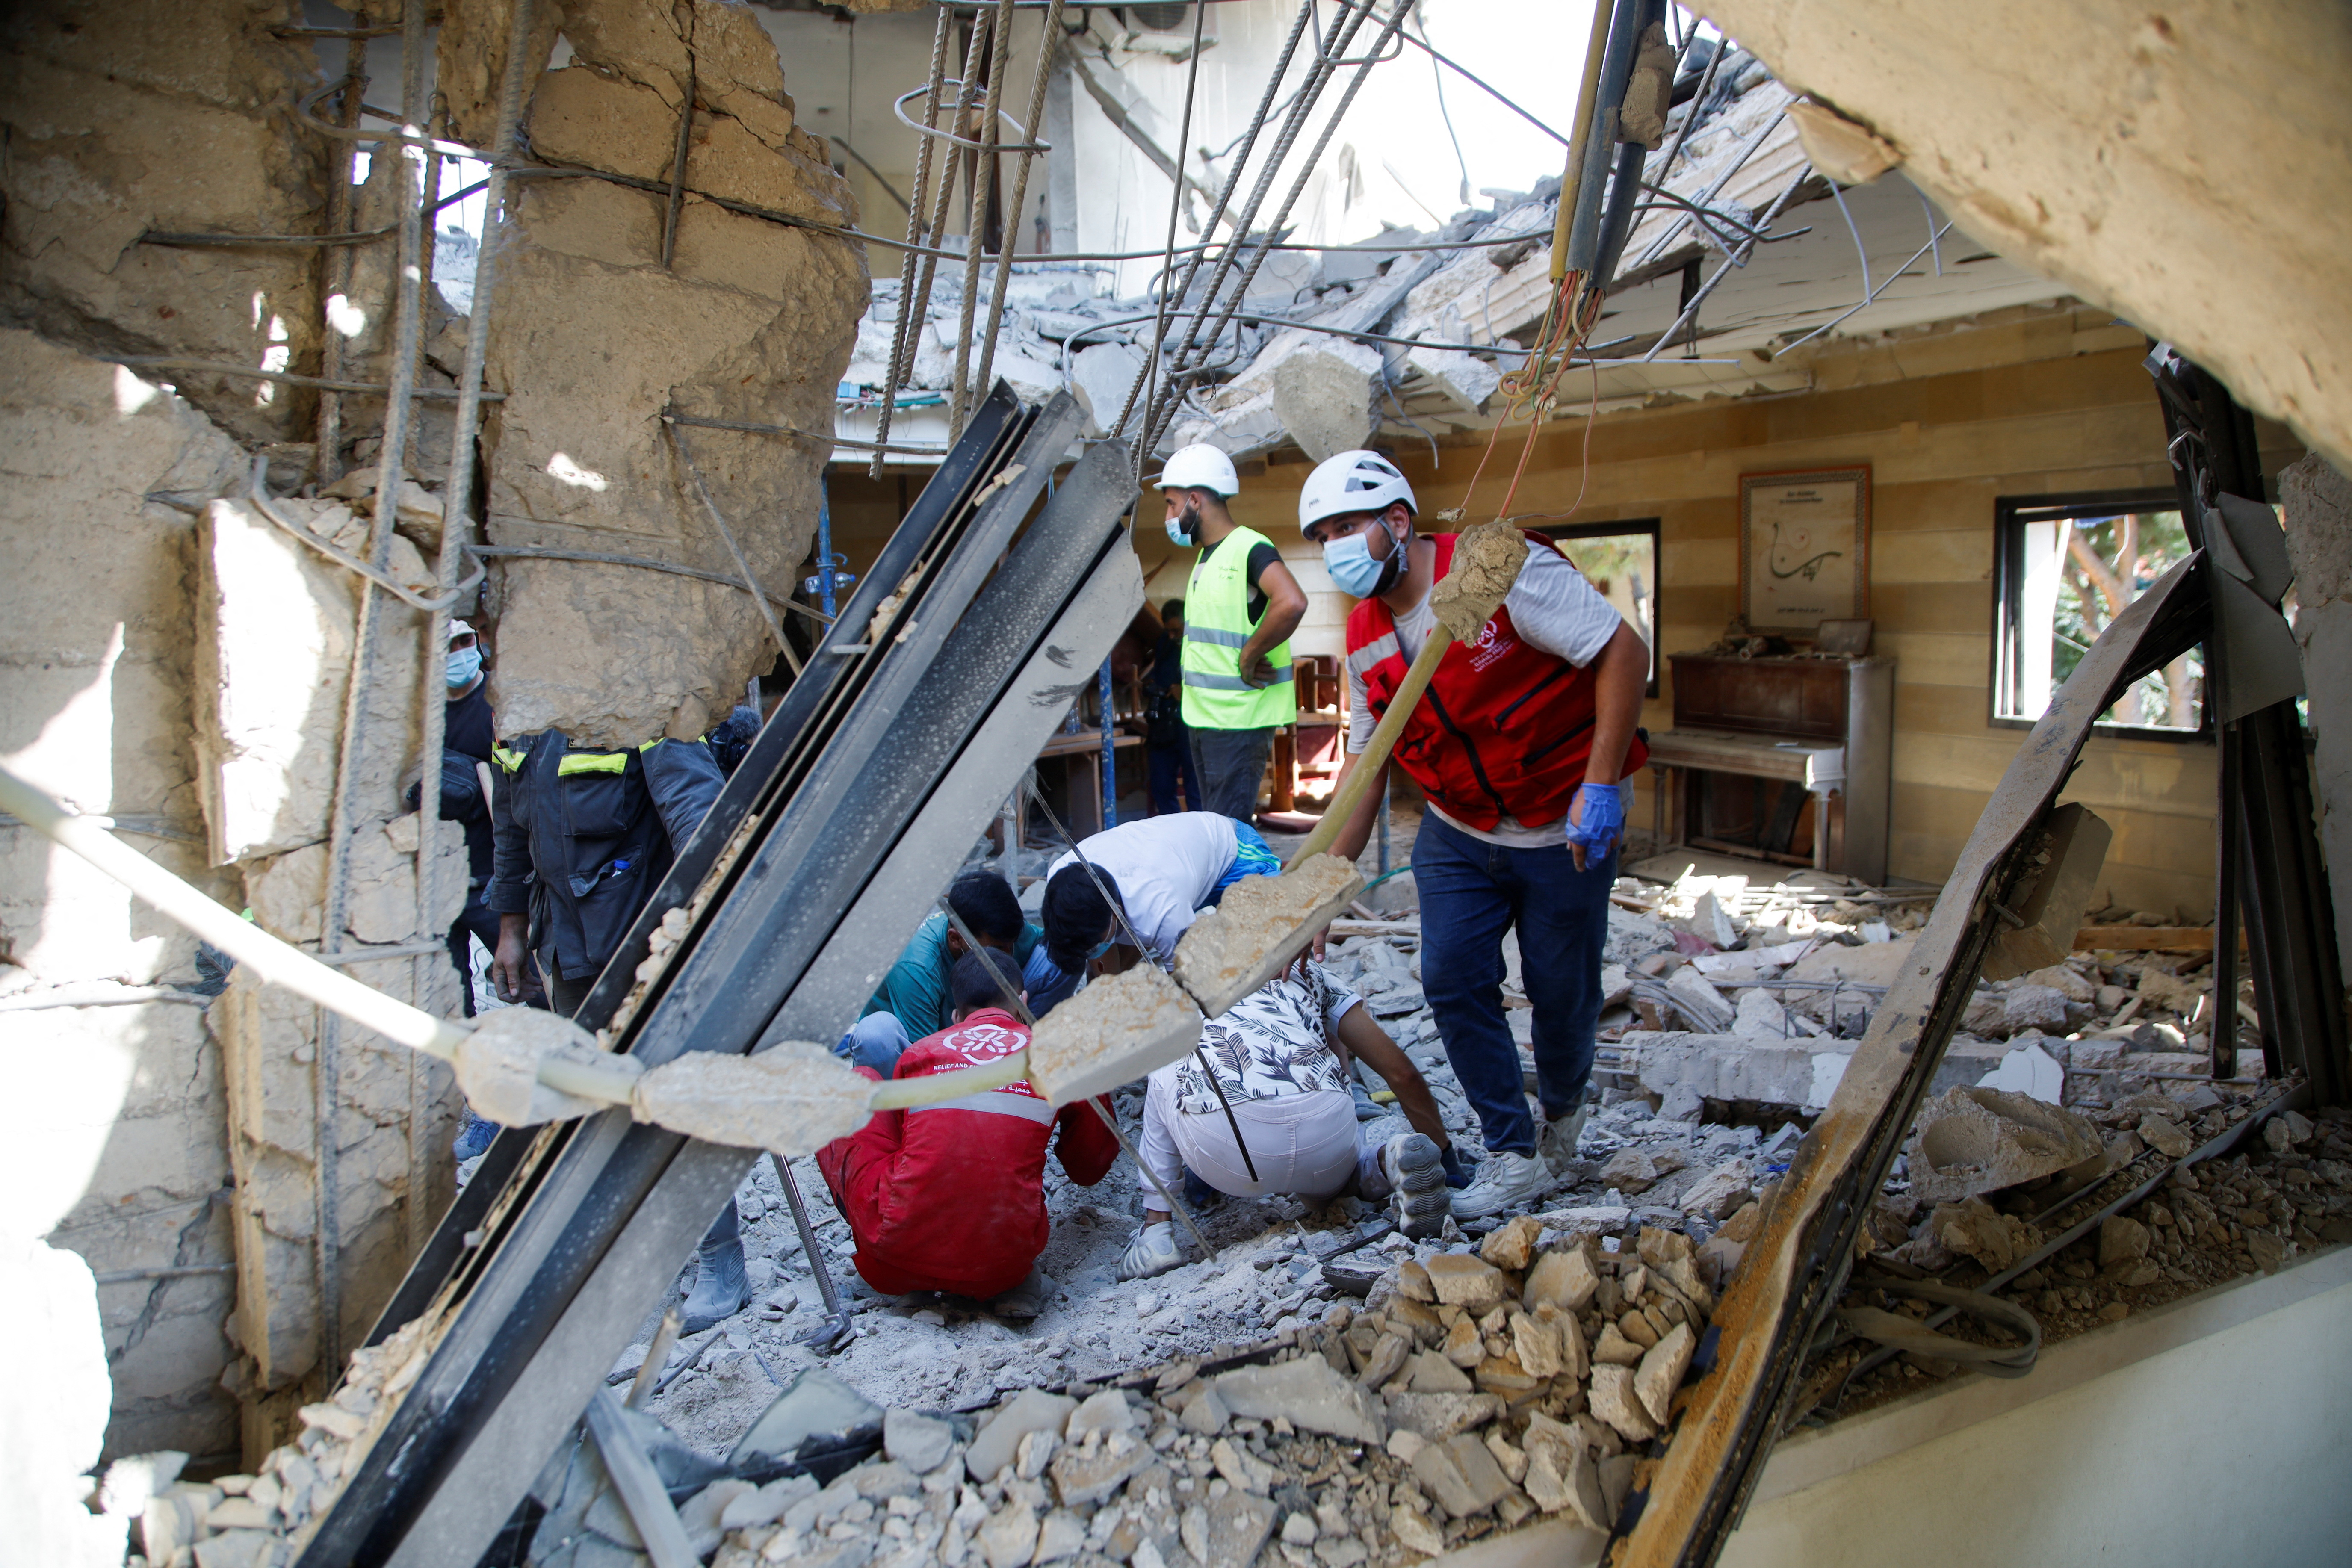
column 951, row 1198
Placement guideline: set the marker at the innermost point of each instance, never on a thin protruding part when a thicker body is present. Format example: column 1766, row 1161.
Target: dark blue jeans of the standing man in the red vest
column 1471, row 894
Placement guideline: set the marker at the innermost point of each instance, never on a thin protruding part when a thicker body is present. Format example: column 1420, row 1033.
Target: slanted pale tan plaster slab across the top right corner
column 2189, row 168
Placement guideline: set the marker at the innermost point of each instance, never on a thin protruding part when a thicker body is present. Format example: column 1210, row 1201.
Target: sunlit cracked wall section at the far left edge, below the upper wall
column 131, row 1160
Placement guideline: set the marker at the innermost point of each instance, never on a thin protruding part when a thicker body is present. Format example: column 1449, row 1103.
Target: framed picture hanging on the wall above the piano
column 1805, row 549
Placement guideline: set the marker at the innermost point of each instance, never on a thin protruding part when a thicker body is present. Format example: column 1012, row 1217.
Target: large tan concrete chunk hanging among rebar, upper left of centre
column 594, row 340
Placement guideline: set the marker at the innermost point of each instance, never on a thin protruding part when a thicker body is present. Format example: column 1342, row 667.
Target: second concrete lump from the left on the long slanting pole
column 791, row 1099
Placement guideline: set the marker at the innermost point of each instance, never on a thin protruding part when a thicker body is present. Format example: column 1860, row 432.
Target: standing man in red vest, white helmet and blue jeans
column 1518, row 749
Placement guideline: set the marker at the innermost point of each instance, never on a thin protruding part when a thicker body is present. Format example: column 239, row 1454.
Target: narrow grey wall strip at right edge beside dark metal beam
column 2318, row 502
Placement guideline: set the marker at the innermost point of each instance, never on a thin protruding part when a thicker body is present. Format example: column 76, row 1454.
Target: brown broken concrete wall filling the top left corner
column 105, row 107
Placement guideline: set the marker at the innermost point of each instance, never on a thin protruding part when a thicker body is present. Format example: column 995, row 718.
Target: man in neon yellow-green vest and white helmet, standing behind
column 1241, row 612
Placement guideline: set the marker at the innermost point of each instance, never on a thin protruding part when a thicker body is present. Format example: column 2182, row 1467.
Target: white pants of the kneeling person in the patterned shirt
column 1307, row 1146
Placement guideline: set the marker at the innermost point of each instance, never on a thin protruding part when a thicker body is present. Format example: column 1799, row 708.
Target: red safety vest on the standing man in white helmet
column 1504, row 728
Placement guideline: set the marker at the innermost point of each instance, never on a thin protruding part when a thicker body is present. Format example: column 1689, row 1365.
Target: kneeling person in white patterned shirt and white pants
column 1283, row 1061
